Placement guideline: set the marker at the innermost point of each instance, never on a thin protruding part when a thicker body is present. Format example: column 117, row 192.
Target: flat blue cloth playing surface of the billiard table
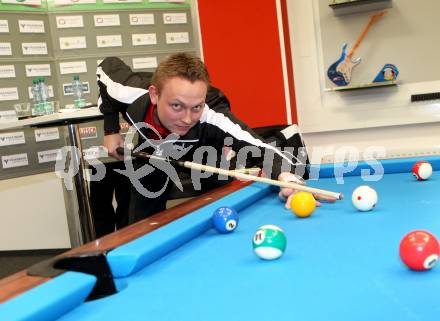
column 339, row 264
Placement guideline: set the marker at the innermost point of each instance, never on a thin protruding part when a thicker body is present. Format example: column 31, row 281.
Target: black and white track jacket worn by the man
column 123, row 91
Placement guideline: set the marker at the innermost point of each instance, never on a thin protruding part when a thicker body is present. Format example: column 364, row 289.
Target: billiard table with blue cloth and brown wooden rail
column 339, row 264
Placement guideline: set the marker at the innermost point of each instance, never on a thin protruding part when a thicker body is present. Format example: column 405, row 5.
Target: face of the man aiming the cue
column 180, row 104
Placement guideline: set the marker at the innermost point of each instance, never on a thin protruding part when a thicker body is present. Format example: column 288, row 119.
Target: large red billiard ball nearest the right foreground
column 419, row 250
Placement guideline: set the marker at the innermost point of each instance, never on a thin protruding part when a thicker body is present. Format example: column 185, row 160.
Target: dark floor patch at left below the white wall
column 14, row 261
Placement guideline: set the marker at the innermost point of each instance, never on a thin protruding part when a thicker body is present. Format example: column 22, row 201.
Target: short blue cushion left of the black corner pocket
column 50, row 300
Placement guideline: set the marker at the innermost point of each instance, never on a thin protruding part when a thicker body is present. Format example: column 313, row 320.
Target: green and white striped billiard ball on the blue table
column 269, row 242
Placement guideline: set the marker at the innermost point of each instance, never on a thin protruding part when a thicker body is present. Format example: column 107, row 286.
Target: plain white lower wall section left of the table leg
column 33, row 213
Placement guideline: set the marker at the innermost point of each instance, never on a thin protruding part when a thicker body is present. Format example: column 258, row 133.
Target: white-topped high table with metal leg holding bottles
column 70, row 118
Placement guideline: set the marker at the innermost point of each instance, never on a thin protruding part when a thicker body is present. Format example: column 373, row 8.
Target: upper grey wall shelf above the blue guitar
column 342, row 7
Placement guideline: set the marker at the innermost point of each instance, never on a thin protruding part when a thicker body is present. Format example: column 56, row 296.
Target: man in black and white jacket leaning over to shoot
column 176, row 99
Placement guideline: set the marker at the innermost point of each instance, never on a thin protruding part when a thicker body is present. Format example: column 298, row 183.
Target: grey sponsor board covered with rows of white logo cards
column 59, row 40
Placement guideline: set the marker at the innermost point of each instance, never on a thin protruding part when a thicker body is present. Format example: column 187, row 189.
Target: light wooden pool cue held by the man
column 231, row 173
